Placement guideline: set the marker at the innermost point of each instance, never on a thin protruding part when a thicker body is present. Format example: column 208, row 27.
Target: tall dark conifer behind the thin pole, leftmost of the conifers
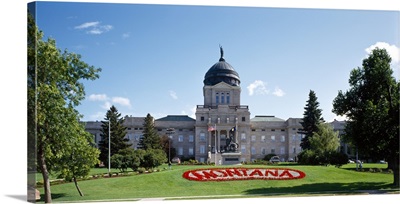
column 117, row 134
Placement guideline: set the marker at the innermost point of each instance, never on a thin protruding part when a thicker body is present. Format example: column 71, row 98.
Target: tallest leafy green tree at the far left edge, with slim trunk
column 54, row 85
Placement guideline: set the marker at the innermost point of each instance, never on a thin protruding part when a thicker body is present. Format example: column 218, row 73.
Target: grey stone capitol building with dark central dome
column 223, row 129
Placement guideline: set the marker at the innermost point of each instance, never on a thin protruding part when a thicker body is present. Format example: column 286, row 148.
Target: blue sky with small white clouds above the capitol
column 154, row 57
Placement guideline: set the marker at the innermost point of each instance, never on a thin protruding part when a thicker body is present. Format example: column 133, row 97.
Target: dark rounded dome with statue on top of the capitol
column 221, row 72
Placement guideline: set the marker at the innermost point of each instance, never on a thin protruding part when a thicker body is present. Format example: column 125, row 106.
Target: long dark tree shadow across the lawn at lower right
column 327, row 188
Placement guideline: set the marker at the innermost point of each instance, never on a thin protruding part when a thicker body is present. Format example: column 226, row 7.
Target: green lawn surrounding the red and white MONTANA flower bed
column 170, row 183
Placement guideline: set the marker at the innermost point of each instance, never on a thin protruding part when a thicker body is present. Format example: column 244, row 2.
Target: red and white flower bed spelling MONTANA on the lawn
column 229, row 174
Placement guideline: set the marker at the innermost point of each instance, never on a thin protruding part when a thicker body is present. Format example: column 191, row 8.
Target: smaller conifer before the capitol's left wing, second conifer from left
column 150, row 139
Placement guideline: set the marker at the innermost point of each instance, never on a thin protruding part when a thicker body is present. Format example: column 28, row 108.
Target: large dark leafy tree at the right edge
column 372, row 108
